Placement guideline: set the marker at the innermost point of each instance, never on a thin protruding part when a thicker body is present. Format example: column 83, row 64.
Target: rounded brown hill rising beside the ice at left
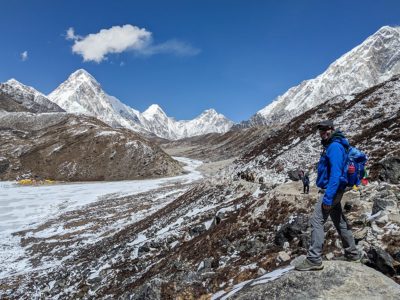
column 62, row 146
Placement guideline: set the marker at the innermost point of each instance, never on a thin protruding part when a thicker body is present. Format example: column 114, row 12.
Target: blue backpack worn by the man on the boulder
column 354, row 167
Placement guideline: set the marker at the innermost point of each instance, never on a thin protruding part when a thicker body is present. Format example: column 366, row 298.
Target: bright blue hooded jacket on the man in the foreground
column 331, row 165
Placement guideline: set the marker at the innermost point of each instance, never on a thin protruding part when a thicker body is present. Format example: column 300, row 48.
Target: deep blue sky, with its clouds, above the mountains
column 187, row 56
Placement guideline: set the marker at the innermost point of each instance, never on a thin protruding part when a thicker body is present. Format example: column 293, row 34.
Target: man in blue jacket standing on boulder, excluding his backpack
column 330, row 168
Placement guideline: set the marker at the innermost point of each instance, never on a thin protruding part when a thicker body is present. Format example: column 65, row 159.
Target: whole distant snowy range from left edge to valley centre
column 82, row 94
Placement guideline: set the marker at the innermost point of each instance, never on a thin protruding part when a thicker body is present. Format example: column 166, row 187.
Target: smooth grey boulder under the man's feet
column 338, row 280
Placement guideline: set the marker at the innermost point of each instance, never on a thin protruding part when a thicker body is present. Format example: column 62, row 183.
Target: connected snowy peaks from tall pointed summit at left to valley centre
column 82, row 94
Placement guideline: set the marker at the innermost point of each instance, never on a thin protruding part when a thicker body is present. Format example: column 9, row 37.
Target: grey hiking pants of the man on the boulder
column 318, row 220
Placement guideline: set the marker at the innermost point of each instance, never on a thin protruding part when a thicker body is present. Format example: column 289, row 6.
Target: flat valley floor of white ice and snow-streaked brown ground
column 40, row 226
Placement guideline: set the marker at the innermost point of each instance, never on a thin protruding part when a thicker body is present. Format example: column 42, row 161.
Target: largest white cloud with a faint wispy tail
column 118, row 39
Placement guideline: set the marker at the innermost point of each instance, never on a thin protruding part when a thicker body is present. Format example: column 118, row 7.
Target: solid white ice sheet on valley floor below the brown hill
column 24, row 207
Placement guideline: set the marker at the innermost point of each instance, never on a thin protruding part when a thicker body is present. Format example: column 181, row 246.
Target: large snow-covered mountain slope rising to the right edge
column 375, row 60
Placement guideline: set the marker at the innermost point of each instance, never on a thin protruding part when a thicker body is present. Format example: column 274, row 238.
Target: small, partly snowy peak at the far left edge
column 28, row 97
